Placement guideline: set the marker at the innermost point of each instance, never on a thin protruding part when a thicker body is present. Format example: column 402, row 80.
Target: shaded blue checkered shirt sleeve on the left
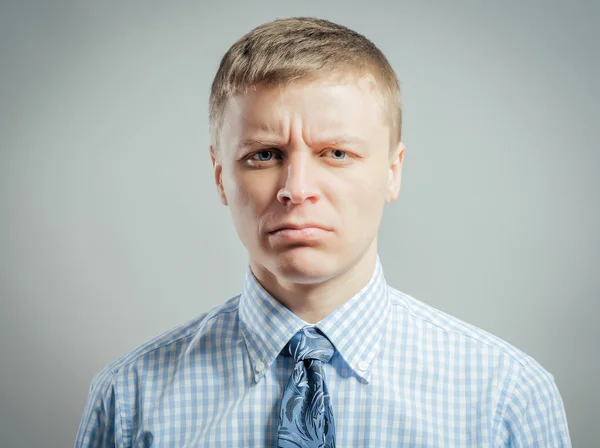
column 99, row 427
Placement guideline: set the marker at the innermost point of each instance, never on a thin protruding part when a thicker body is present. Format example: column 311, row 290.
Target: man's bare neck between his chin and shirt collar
column 312, row 302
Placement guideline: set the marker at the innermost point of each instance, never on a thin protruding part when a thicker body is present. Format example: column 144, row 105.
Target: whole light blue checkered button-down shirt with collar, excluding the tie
column 404, row 374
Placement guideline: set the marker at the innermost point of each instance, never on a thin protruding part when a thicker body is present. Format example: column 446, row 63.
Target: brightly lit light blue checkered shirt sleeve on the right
column 535, row 415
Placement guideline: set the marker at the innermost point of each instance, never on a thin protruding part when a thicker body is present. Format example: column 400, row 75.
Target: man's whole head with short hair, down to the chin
column 306, row 129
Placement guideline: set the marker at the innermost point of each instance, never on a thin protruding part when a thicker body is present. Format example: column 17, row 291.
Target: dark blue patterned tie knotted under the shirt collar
column 306, row 417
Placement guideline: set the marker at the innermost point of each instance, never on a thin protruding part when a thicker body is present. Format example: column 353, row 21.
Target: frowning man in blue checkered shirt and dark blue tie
column 317, row 350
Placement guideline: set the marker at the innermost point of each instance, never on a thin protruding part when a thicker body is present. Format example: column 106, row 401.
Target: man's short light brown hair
column 302, row 48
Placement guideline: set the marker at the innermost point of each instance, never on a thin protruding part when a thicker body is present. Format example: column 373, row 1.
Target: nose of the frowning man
column 300, row 180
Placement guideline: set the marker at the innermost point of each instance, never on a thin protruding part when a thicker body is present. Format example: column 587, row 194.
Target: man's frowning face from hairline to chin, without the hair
column 310, row 154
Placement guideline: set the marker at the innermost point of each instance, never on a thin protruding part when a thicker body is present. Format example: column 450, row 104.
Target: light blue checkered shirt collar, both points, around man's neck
column 354, row 328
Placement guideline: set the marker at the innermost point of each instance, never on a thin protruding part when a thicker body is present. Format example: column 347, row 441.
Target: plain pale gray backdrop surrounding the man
column 111, row 231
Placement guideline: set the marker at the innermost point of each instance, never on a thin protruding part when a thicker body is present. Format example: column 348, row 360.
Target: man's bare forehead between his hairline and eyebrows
column 334, row 103
